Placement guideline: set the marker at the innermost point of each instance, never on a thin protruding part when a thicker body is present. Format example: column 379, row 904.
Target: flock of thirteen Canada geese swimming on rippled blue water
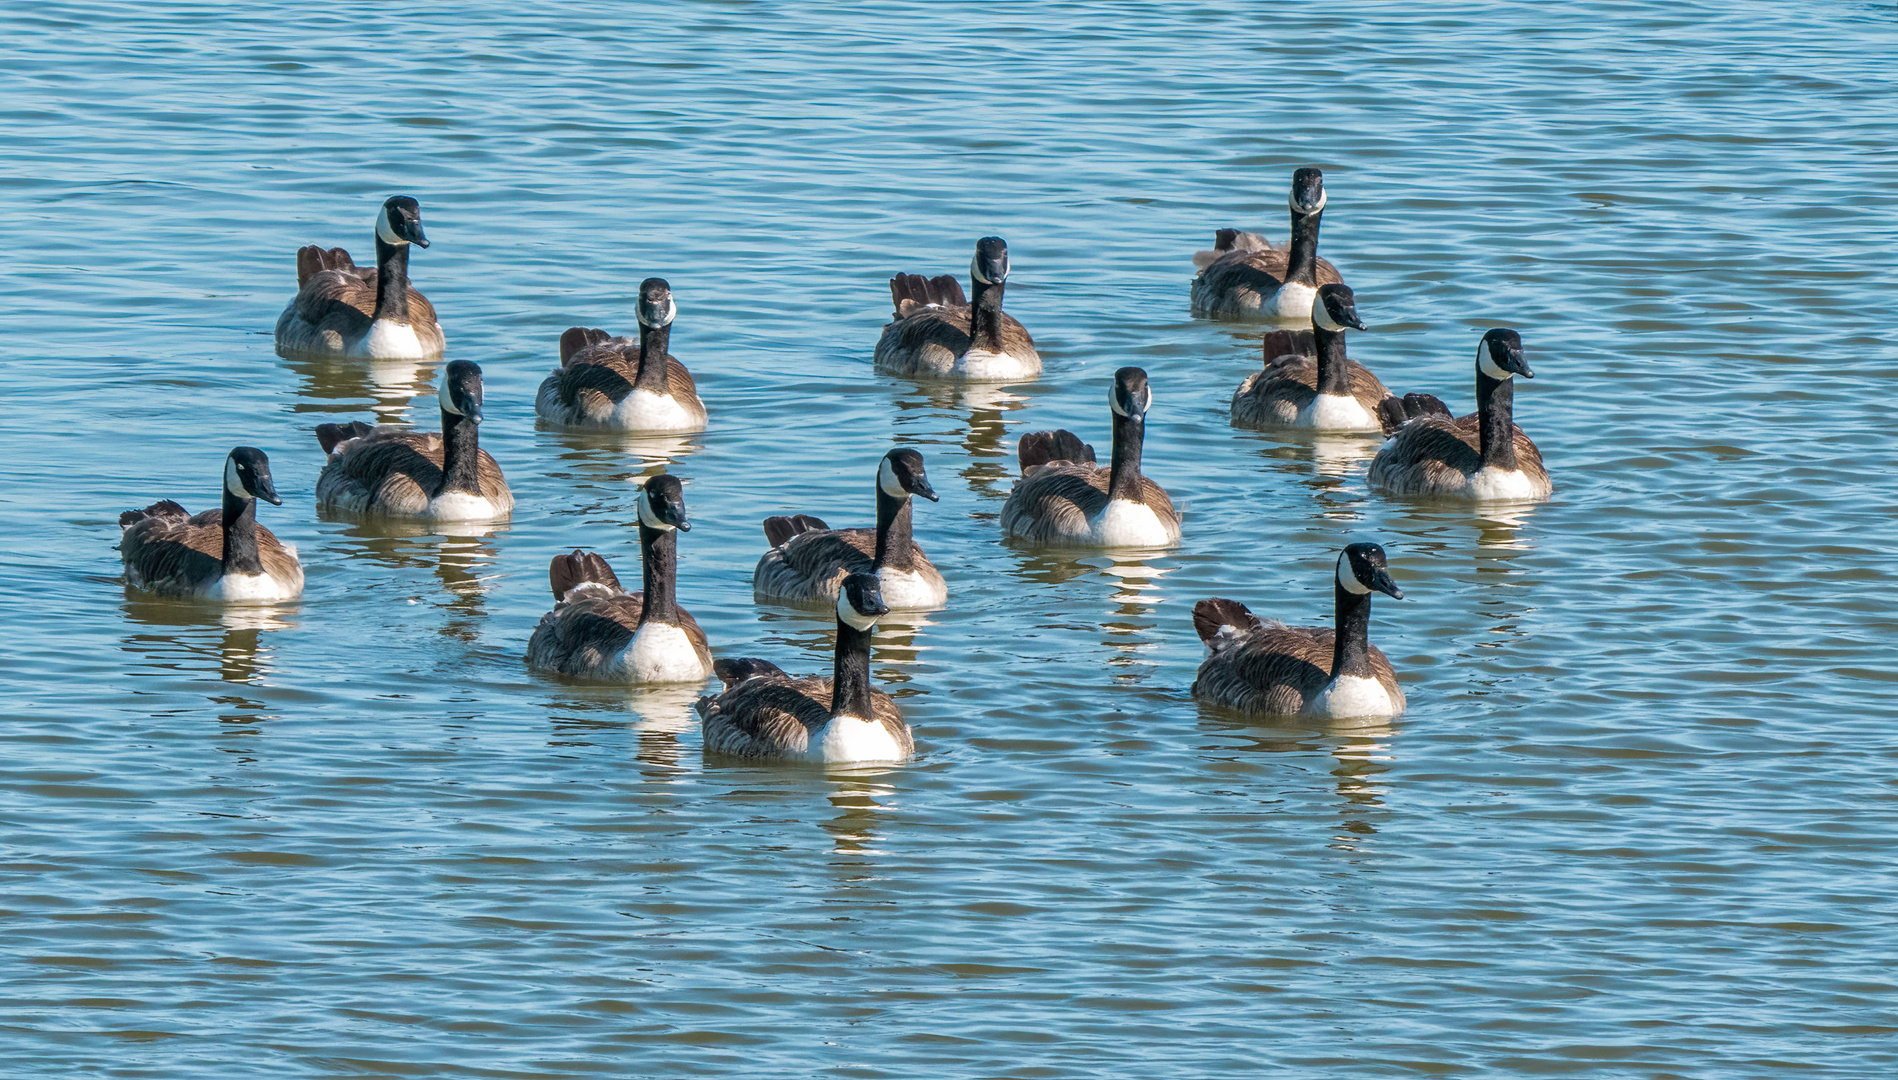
column 1064, row 498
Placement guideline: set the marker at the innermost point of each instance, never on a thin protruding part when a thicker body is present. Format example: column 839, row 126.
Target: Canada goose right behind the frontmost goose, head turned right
column 809, row 561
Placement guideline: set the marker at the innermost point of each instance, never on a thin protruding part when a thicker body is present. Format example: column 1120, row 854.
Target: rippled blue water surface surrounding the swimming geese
column 1637, row 823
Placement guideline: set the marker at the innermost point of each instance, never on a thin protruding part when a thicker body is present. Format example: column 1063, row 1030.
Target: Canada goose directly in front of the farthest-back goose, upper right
column 1309, row 382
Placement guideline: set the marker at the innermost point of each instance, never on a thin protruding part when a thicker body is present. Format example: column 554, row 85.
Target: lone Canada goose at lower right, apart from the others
column 1303, row 671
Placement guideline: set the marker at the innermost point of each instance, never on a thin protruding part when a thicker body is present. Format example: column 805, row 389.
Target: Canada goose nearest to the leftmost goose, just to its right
column 407, row 474
